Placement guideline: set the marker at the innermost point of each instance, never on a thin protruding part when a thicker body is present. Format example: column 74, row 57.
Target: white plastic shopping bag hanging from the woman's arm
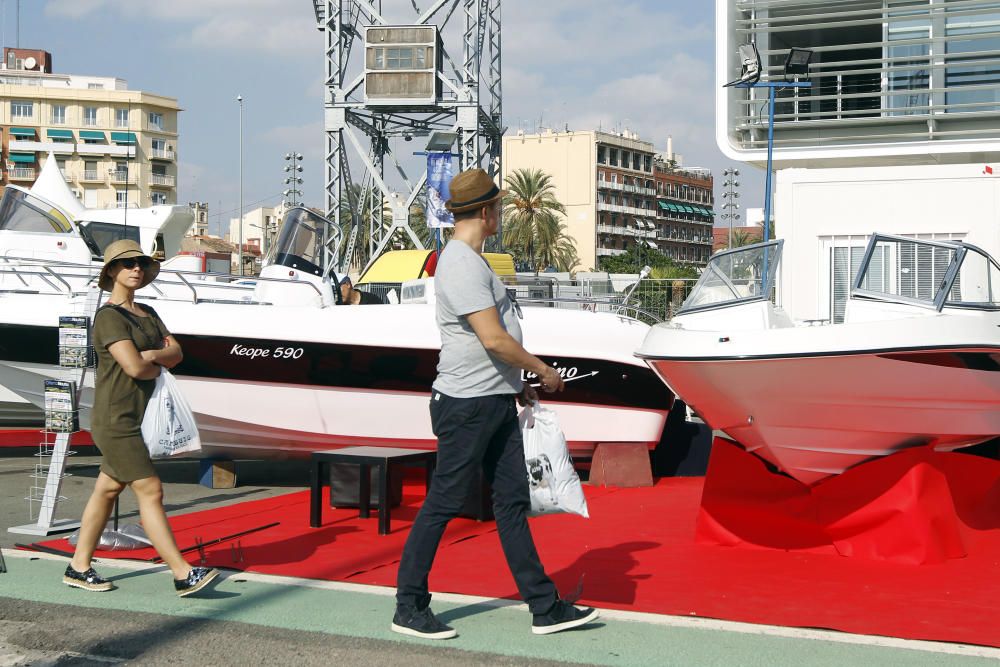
column 168, row 427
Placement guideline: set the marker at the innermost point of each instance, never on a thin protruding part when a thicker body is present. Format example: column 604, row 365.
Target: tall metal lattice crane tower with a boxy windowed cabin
column 404, row 82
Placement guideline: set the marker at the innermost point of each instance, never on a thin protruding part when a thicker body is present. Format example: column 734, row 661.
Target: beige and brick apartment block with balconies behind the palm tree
column 619, row 193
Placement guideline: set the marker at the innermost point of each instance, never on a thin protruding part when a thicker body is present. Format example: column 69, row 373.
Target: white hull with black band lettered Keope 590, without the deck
column 337, row 380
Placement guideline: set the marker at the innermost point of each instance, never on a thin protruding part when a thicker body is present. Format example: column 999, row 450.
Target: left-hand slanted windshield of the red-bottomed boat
column 736, row 276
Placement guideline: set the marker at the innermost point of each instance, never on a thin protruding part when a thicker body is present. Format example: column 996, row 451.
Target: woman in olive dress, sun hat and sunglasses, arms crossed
column 132, row 345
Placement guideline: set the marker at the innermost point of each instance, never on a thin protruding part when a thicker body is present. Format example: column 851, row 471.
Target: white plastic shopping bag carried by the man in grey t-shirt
column 552, row 480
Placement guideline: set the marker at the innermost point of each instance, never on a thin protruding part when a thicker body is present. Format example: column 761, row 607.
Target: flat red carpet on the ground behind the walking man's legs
column 637, row 552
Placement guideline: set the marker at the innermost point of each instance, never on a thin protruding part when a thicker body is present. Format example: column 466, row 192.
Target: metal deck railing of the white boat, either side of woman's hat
column 58, row 276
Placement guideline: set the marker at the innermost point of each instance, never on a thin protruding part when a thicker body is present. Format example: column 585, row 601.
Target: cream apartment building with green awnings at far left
column 116, row 147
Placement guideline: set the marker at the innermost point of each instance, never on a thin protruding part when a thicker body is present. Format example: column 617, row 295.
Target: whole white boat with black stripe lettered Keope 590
column 290, row 371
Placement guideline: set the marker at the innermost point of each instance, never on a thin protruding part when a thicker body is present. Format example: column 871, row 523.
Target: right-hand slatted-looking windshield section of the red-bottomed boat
column 932, row 274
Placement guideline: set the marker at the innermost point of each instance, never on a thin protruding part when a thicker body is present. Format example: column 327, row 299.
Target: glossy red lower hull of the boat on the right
column 816, row 416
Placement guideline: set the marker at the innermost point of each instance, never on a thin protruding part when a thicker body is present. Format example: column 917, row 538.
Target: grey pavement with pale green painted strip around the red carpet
column 256, row 619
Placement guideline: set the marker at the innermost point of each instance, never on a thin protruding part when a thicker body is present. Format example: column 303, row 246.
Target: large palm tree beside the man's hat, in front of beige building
column 532, row 221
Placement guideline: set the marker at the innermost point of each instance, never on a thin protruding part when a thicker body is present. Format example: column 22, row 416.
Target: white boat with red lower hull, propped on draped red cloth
column 916, row 361
